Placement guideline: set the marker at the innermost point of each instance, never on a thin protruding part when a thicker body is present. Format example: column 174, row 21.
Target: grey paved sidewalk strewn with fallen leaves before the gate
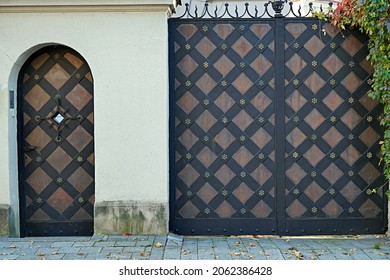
column 173, row 247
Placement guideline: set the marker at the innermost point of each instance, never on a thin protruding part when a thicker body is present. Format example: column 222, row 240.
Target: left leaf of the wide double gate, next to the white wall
column 224, row 128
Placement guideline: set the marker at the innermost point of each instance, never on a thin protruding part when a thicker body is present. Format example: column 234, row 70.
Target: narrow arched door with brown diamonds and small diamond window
column 56, row 144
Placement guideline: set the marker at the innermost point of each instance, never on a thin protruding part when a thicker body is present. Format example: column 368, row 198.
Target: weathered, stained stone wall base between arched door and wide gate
column 121, row 217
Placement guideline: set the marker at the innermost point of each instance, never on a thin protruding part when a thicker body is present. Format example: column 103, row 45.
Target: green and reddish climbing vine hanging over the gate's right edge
column 372, row 18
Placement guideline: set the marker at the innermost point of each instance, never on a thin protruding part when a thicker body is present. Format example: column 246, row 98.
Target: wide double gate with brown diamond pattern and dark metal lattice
column 272, row 129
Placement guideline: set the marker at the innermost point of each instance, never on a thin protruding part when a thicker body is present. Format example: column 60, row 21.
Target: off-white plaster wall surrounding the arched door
column 127, row 53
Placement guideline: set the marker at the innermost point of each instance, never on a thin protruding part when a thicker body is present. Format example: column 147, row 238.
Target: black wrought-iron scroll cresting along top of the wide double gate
column 225, row 11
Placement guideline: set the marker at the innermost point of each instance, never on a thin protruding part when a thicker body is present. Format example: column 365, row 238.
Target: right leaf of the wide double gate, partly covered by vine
column 332, row 133
